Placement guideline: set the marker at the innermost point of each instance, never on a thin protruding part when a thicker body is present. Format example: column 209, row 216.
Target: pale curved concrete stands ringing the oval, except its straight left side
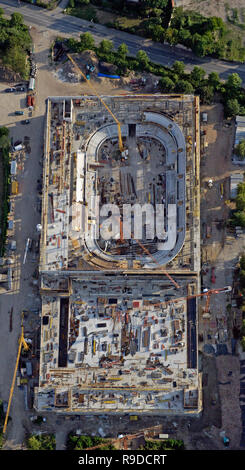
column 167, row 132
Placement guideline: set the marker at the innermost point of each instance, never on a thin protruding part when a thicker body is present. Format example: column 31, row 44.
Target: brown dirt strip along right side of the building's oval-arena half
column 216, row 165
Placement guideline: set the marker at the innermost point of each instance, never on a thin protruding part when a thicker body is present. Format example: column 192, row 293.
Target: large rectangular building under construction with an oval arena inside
column 119, row 315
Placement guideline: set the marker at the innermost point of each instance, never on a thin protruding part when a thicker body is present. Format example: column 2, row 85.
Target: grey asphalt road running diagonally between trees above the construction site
column 60, row 23
